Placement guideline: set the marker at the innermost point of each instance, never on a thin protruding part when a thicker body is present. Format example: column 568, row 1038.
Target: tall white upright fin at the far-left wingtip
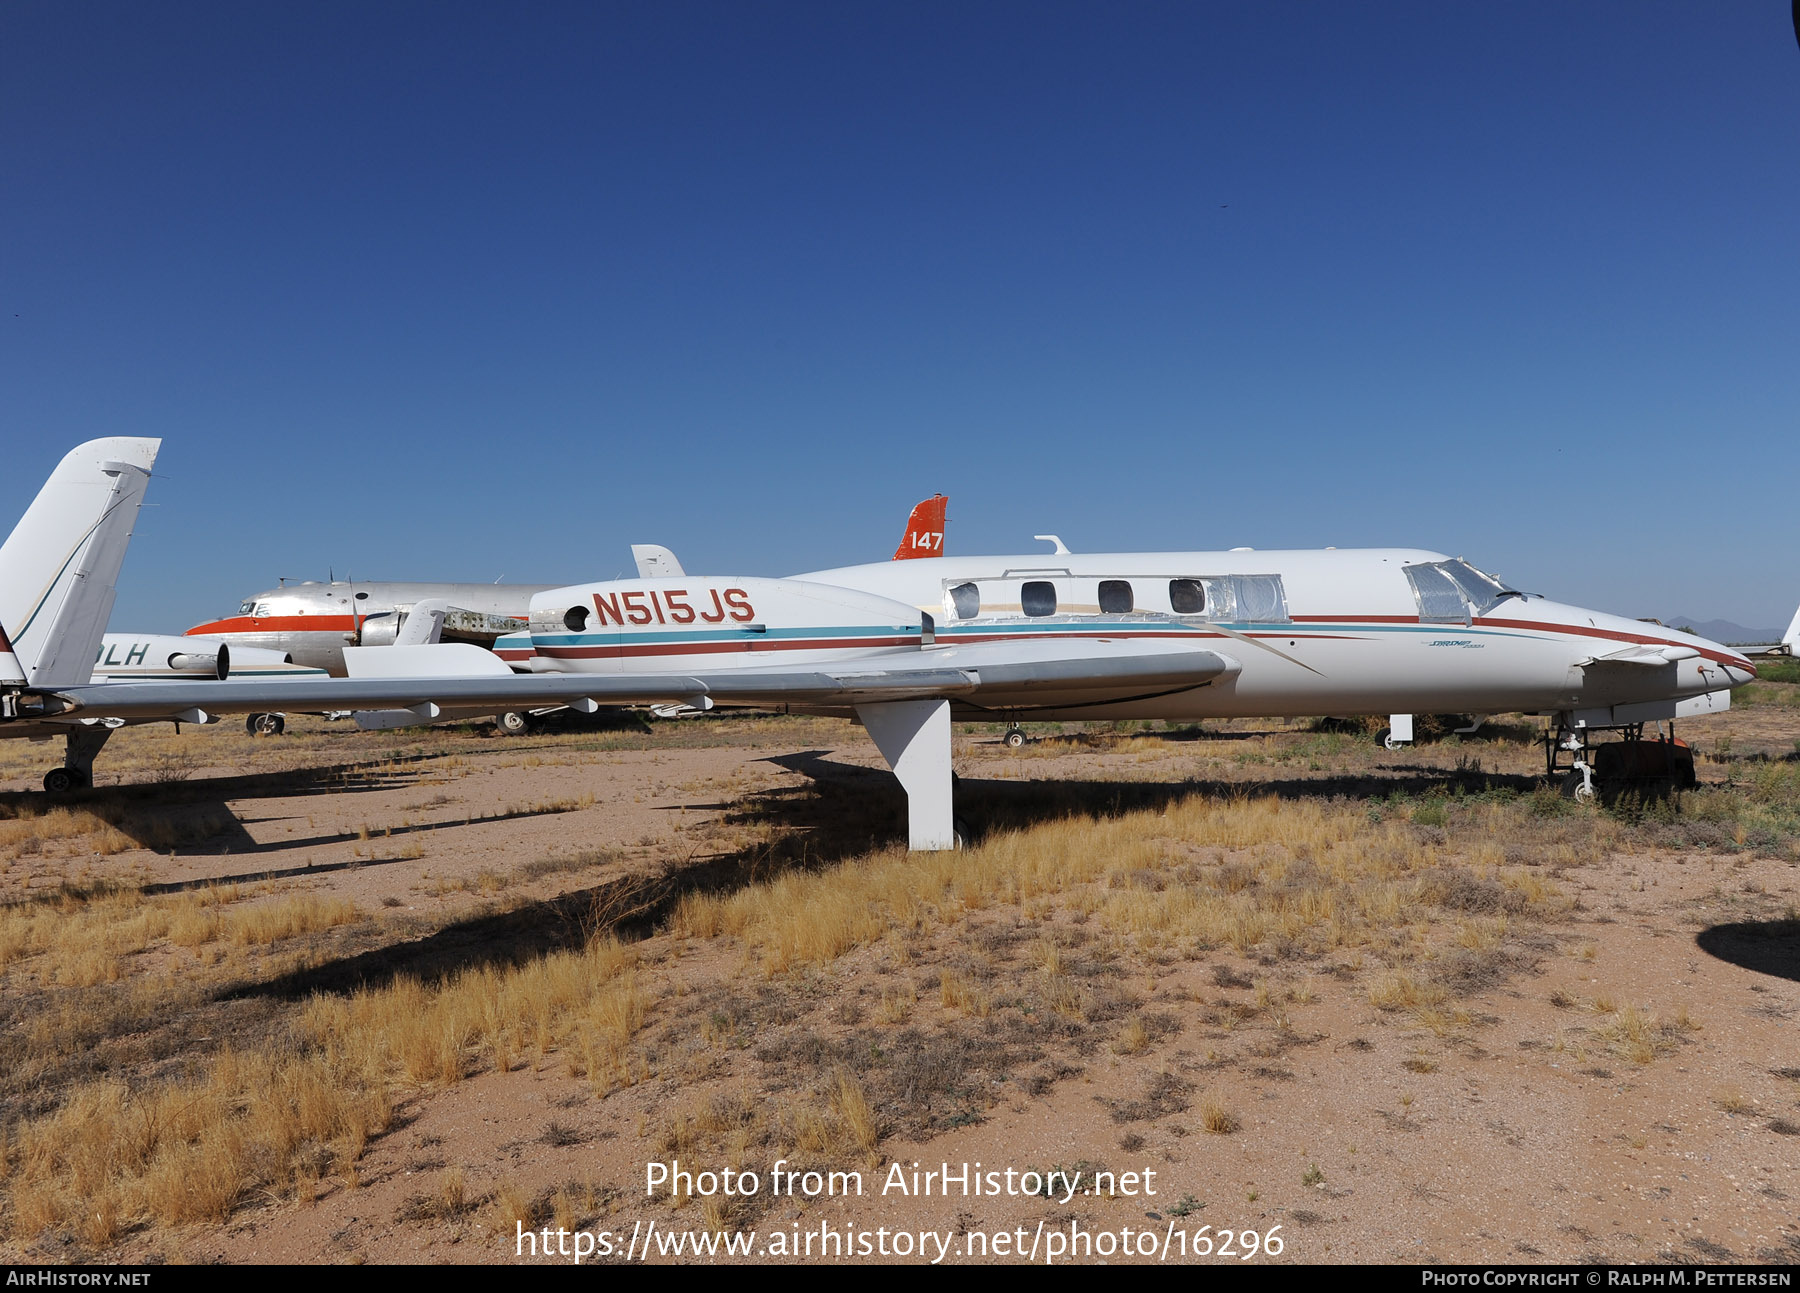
column 60, row 566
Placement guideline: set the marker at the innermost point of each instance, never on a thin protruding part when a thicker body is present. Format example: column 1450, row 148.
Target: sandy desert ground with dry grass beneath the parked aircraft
column 352, row 997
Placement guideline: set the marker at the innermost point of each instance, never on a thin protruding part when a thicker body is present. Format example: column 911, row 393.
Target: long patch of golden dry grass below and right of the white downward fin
column 1309, row 873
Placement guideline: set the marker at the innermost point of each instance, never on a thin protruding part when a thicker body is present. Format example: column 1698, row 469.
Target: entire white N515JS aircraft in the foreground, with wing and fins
column 906, row 647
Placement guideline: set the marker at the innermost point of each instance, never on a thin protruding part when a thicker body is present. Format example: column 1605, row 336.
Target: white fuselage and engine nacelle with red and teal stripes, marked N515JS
column 1335, row 631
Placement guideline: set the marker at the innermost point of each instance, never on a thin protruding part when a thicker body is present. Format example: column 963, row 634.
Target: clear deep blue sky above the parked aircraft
column 433, row 291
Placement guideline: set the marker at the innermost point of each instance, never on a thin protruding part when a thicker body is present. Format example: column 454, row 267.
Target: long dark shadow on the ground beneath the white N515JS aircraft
column 840, row 811
